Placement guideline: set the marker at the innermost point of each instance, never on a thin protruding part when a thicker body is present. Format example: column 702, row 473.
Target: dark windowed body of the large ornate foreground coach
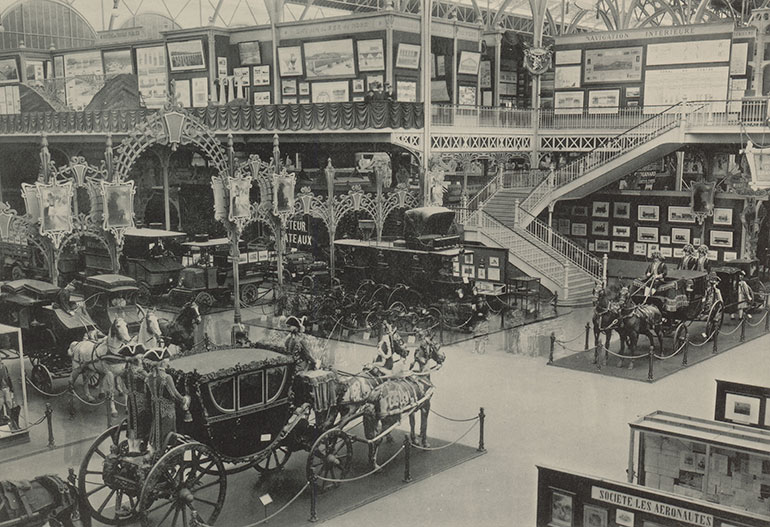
column 240, row 397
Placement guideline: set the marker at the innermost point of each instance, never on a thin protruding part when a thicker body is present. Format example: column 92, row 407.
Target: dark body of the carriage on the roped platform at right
column 680, row 296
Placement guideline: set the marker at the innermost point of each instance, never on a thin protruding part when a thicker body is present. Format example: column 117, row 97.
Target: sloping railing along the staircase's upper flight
column 614, row 148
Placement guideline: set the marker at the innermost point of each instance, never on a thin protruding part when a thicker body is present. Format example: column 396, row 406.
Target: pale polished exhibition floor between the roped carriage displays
column 535, row 414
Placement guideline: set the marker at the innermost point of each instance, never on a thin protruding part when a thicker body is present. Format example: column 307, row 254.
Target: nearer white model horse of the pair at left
column 101, row 358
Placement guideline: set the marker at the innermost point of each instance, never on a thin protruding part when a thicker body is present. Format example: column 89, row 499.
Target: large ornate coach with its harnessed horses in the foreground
column 247, row 408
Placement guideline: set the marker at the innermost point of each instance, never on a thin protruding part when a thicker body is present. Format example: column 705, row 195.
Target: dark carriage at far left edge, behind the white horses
column 46, row 328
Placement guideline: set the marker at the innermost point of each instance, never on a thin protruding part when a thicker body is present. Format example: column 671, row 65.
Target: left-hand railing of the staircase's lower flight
column 547, row 264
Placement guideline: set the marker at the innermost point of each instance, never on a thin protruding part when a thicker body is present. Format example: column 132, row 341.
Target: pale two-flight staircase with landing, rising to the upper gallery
column 506, row 215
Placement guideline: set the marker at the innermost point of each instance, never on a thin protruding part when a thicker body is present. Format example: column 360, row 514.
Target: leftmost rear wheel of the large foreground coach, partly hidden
column 104, row 504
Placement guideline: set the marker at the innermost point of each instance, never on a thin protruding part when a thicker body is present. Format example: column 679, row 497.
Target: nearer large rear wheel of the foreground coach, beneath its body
column 188, row 478
